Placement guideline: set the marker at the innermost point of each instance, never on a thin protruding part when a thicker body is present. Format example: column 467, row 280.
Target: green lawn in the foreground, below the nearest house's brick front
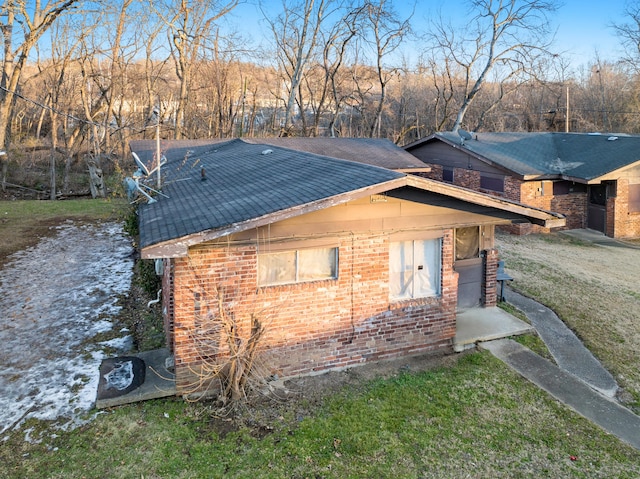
column 474, row 419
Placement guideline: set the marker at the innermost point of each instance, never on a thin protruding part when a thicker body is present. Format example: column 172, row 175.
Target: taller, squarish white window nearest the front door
column 415, row 268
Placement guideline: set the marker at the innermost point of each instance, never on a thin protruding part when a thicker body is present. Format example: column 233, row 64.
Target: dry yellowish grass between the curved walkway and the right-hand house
column 594, row 289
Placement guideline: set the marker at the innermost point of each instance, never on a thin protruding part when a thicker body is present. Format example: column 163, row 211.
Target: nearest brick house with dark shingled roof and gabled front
column 345, row 262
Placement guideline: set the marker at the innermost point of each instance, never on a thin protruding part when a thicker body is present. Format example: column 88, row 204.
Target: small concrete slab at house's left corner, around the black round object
column 158, row 381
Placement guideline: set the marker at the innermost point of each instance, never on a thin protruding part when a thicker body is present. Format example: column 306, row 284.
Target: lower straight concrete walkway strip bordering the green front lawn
column 568, row 389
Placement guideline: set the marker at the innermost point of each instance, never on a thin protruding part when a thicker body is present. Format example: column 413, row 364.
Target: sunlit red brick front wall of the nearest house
column 313, row 326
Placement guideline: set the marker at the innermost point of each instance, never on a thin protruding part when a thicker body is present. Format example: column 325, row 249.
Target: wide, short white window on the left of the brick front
column 297, row 266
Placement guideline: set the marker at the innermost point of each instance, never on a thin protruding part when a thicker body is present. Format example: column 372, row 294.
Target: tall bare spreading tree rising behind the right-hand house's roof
column 504, row 36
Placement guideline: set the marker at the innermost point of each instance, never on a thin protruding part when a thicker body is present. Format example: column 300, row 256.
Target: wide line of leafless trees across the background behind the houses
column 86, row 77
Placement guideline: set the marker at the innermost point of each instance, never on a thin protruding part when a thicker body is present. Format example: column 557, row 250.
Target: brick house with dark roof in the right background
column 593, row 179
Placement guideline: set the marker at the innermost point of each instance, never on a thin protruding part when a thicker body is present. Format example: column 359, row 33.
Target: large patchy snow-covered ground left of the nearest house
column 55, row 297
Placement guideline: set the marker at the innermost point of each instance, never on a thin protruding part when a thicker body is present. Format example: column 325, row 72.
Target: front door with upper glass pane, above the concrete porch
column 469, row 266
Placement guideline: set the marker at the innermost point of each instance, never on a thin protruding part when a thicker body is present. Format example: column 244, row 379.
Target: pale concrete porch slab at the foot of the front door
column 485, row 324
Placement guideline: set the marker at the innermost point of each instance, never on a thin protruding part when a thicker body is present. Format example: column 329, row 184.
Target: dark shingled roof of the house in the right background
column 567, row 155
